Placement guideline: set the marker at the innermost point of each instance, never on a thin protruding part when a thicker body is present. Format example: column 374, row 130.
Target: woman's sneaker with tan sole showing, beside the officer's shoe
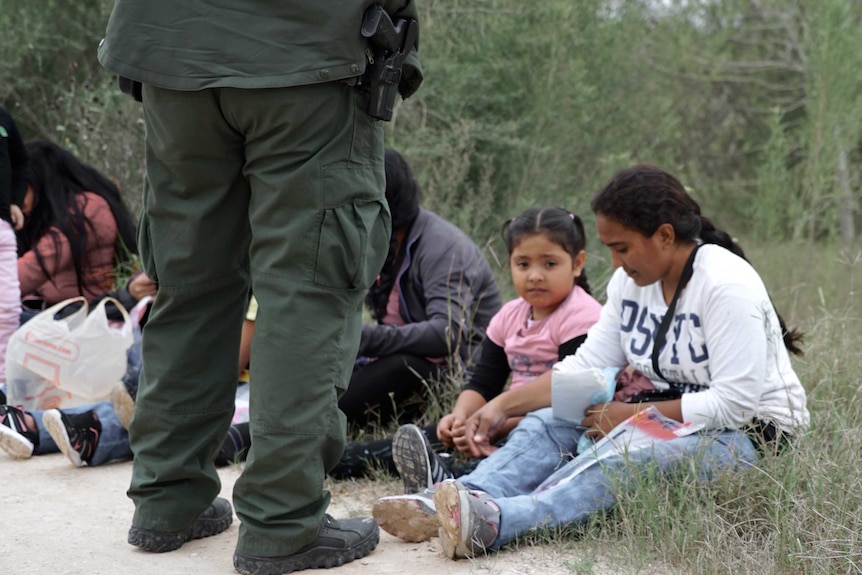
column 410, row 517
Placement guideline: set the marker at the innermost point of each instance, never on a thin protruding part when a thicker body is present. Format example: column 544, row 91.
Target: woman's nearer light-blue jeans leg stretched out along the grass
column 564, row 499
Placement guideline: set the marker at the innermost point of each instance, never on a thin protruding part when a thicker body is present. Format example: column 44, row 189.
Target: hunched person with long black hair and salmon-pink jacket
column 76, row 229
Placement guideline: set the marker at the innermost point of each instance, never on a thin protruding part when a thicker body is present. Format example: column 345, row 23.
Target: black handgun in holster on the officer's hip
column 390, row 43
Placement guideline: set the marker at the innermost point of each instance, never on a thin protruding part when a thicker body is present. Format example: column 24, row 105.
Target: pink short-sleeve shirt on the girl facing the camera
column 532, row 347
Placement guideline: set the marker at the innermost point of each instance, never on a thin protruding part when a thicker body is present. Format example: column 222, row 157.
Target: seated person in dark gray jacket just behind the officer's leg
column 431, row 303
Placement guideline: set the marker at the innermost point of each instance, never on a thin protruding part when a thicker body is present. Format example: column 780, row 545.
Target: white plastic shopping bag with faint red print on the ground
column 70, row 361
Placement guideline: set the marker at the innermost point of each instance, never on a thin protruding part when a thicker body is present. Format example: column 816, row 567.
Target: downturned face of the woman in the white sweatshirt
column 645, row 259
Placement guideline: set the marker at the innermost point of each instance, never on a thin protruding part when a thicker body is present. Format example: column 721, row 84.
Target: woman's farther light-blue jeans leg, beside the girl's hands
column 537, row 447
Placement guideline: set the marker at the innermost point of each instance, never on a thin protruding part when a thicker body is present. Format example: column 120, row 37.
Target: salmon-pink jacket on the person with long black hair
column 60, row 282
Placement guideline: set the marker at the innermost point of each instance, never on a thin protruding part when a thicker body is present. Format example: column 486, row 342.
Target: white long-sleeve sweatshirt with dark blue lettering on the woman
column 724, row 344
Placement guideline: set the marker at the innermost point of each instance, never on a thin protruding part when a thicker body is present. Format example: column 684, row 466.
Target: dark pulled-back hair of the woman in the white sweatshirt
column 643, row 197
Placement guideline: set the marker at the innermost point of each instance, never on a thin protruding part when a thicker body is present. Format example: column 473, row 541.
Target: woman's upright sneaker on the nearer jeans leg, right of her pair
column 469, row 519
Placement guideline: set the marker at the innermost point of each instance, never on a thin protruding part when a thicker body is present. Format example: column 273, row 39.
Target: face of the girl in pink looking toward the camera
column 544, row 273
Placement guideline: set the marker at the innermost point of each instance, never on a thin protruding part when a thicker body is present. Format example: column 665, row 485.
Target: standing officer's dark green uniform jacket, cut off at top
column 198, row 44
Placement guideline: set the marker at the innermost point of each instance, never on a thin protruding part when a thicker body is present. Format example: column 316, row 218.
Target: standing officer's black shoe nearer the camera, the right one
column 338, row 542
